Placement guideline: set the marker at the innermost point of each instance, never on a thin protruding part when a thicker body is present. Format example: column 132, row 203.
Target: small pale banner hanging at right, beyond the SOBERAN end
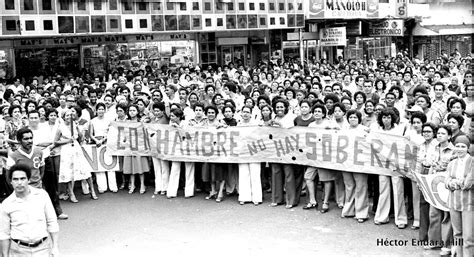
column 434, row 189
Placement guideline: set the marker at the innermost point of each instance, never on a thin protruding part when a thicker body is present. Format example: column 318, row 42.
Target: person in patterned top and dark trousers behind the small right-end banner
column 440, row 230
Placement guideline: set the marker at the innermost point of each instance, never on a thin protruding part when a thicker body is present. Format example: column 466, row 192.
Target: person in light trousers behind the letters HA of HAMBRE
column 161, row 167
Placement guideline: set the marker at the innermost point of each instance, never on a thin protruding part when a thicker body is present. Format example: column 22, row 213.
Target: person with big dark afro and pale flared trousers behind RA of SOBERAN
column 387, row 124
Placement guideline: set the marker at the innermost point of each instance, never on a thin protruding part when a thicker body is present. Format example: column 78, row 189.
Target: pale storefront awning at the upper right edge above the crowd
column 439, row 30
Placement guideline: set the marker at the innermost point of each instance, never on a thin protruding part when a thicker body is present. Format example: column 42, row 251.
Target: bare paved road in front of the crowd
column 139, row 225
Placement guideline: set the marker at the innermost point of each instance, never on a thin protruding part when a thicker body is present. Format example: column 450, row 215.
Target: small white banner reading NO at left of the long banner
column 93, row 158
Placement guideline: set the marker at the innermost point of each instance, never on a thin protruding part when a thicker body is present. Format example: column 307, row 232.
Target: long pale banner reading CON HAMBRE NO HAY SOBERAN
column 373, row 153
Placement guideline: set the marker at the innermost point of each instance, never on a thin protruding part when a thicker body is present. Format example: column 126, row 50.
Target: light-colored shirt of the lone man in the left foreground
column 29, row 219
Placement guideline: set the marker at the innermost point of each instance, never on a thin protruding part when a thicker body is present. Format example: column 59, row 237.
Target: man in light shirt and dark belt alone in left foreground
column 28, row 223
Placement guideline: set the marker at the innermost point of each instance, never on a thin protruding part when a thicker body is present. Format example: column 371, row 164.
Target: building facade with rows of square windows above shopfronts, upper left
column 99, row 36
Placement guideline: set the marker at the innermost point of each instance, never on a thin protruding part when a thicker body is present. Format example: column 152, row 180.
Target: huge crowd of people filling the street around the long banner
column 47, row 118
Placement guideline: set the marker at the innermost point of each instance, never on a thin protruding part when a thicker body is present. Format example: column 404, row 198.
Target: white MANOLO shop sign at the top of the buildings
column 343, row 9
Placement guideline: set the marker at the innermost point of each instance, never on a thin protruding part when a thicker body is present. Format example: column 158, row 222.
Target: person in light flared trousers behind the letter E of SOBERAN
column 356, row 189
